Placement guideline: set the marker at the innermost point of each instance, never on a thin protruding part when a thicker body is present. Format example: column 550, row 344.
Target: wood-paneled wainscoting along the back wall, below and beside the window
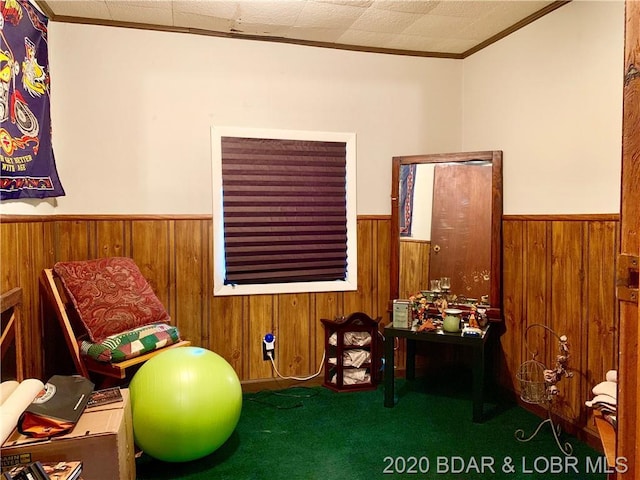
column 174, row 254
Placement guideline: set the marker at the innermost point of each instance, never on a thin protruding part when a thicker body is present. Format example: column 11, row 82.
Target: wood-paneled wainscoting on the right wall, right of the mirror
column 559, row 271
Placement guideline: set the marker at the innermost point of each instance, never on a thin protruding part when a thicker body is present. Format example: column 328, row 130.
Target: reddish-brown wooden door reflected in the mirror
column 461, row 227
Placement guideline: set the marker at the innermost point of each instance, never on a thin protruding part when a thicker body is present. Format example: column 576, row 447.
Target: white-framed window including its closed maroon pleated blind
column 284, row 211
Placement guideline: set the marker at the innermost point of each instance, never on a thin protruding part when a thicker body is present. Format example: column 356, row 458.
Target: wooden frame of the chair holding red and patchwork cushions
column 72, row 328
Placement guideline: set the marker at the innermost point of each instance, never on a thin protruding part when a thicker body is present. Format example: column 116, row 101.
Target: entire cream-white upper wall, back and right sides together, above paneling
column 132, row 111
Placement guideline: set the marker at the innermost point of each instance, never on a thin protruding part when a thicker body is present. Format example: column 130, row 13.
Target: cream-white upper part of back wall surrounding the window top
column 132, row 111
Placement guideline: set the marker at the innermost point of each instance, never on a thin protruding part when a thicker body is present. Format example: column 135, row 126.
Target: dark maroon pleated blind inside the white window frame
column 284, row 208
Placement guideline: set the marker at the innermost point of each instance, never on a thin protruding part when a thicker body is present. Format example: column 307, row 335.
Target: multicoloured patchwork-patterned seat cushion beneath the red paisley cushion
column 131, row 343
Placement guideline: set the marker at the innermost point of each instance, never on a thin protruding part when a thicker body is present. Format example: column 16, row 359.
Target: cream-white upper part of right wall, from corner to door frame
column 550, row 97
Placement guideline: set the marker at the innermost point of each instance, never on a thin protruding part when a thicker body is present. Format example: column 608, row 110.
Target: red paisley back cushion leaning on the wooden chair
column 110, row 295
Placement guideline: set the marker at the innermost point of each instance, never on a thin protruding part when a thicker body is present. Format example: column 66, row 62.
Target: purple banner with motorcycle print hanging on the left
column 28, row 167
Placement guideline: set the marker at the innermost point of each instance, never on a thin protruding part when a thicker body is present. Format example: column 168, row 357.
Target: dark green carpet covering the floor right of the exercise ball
column 314, row 433
